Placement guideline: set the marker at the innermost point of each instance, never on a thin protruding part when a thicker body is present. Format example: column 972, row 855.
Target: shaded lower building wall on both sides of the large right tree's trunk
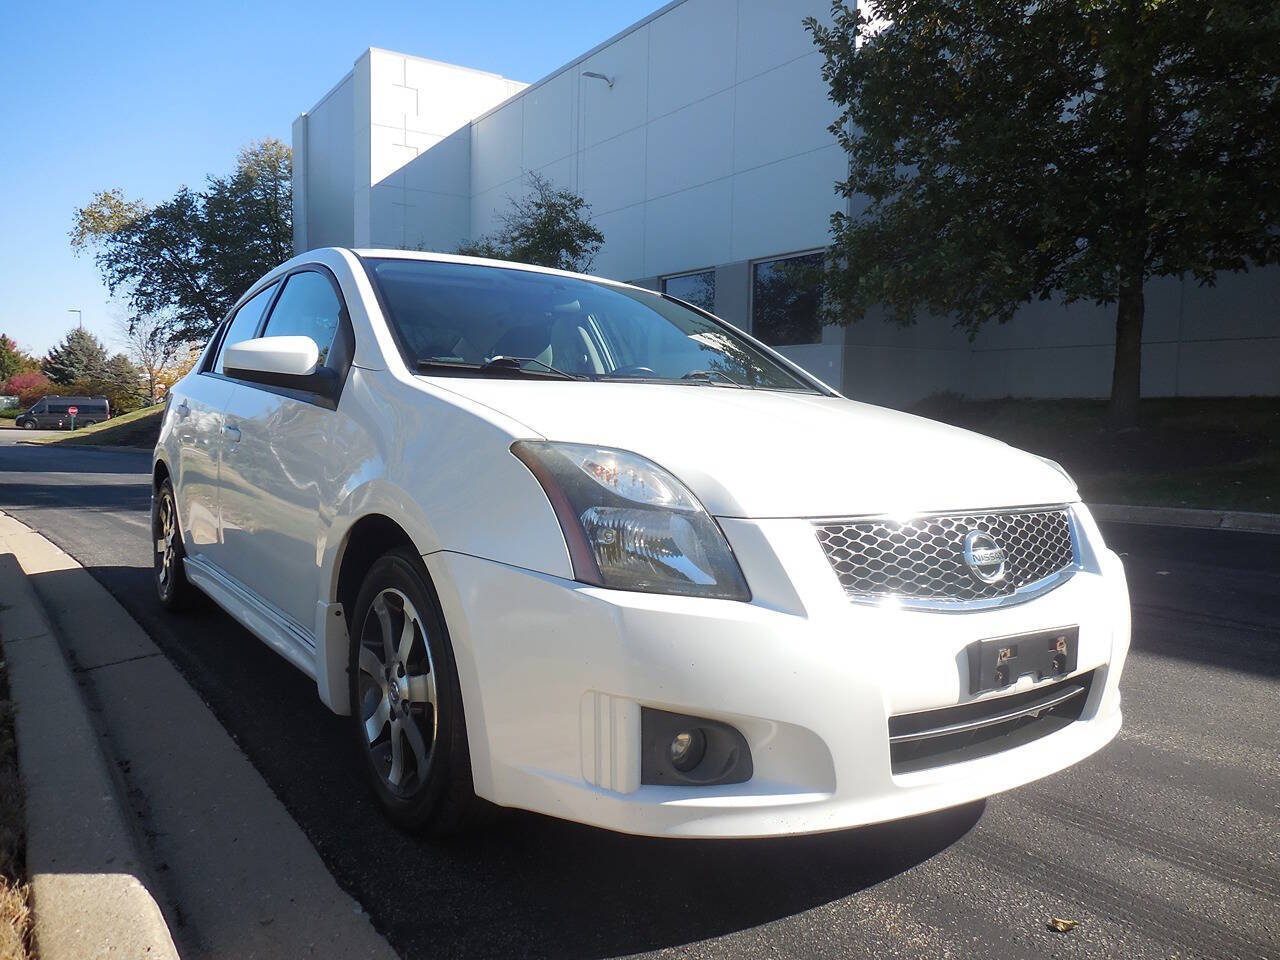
column 1197, row 342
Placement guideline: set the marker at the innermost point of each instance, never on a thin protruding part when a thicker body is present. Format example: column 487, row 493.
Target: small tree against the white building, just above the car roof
column 548, row 227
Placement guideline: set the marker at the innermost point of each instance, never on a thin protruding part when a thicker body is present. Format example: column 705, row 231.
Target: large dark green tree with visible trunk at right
column 1013, row 150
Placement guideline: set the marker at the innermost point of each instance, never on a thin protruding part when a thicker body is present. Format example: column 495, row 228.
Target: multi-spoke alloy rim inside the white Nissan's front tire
column 397, row 693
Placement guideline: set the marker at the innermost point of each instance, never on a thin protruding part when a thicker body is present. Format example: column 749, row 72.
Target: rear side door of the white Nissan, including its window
column 200, row 405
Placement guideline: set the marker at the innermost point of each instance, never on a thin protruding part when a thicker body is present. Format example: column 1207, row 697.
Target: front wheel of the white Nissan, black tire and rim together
column 438, row 801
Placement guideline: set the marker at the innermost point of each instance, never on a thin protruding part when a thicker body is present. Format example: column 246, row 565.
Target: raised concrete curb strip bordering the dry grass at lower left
column 90, row 895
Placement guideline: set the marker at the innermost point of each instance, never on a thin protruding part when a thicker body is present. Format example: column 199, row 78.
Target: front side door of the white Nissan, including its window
column 276, row 479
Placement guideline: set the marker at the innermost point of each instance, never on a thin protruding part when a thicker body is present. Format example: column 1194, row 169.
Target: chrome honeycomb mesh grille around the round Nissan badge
column 922, row 560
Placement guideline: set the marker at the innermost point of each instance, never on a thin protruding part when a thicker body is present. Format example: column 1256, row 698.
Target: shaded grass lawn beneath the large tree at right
column 1214, row 454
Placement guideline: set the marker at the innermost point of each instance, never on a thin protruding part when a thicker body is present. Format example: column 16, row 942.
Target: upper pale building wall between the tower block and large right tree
column 711, row 147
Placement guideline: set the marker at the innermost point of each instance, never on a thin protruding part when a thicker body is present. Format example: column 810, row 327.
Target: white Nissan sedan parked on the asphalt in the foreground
column 577, row 547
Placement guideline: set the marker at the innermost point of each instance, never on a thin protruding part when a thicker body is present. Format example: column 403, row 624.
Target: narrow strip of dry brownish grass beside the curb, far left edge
column 15, row 894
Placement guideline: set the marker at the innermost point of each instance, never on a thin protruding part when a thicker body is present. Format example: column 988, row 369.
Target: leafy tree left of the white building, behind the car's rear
column 189, row 259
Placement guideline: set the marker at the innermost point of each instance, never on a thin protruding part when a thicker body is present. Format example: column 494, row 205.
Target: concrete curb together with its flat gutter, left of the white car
column 190, row 828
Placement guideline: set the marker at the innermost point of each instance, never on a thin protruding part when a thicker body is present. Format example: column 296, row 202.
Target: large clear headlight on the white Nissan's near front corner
column 630, row 525
